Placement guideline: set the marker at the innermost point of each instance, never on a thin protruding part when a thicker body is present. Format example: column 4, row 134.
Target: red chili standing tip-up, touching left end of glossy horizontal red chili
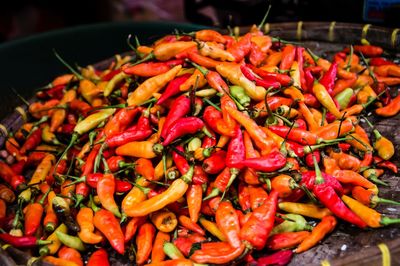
column 236, row 151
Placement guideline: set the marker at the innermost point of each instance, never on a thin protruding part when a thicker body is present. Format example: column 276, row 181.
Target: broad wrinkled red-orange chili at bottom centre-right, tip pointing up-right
column 260, row 223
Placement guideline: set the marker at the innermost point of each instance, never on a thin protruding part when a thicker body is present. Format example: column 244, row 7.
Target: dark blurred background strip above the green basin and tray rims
column 26, row 17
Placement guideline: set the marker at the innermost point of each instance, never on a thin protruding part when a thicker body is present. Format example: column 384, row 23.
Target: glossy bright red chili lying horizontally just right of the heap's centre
column 269, row 163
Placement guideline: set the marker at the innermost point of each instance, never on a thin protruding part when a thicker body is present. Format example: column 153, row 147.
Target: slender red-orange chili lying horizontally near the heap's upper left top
column 150, row 69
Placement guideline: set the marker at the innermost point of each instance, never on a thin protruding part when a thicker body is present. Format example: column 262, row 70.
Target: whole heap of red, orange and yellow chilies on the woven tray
column 202, row 149
